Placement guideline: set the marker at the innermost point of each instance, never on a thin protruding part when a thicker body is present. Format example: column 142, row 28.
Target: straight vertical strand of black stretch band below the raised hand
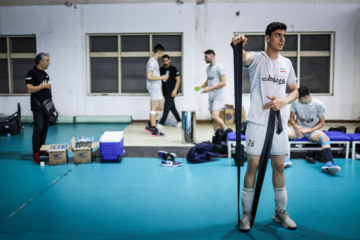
column 237, row 49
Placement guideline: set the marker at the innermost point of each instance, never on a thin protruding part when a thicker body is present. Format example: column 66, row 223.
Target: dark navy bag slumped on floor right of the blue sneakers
column 202, row 152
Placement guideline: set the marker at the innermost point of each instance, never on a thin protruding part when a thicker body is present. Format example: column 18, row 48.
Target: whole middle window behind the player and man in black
column 117, row 62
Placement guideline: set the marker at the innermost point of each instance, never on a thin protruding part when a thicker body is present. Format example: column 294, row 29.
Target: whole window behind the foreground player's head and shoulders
column 311, row 55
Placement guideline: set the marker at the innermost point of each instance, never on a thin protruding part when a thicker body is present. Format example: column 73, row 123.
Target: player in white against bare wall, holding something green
column 214, row 85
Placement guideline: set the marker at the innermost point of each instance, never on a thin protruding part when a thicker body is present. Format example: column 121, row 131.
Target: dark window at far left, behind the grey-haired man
column 17, row 57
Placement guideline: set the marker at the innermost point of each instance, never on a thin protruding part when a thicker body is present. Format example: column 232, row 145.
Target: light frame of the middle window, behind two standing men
column 120, row 54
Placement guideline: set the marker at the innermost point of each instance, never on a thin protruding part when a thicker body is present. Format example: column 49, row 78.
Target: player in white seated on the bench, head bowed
column 310, row 118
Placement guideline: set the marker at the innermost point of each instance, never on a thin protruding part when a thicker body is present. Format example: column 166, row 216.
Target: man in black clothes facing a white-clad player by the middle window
column 169, row 89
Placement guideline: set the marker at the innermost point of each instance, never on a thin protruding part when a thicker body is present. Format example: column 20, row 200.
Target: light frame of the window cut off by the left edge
column 9, row 56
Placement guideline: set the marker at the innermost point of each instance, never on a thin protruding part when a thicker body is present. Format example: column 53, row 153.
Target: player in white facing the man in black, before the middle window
column 154, row 85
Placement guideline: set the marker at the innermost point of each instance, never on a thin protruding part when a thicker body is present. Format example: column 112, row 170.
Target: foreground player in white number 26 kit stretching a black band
column 269, row 74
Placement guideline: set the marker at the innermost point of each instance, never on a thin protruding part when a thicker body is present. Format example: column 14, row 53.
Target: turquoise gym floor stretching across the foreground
column 139, row 199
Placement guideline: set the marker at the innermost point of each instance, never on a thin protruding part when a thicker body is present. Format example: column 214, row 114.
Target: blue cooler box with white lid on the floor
column 111, row 146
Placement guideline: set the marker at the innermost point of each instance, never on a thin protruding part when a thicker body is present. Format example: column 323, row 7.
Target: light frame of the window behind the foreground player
column 298, row 54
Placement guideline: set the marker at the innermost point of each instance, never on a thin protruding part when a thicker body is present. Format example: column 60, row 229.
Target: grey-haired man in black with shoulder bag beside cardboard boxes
column 37, row 83
